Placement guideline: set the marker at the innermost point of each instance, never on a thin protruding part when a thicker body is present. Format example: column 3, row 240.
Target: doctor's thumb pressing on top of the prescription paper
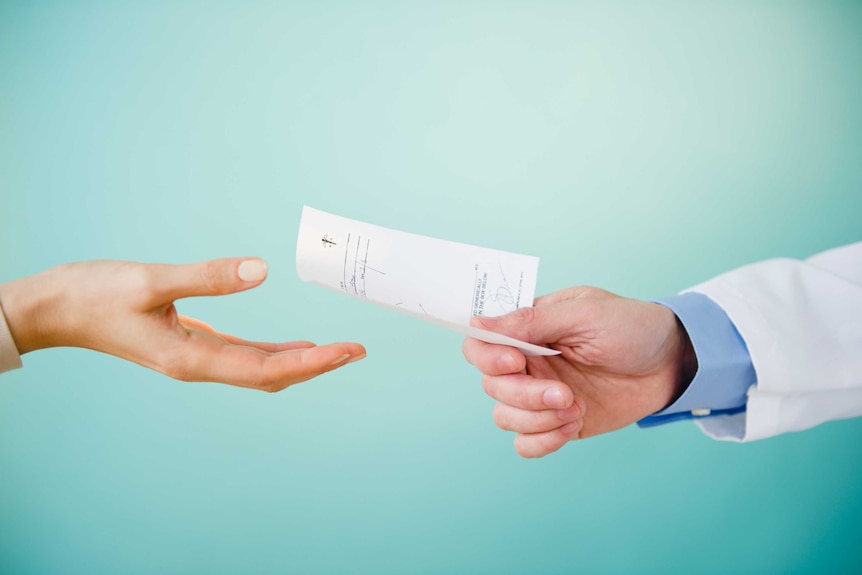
column 540, row 325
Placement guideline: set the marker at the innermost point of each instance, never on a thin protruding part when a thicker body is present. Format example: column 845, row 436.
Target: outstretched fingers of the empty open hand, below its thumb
column 209, row 358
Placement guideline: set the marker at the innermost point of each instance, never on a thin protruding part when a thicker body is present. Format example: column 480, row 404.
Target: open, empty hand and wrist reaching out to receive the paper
column 127, row 309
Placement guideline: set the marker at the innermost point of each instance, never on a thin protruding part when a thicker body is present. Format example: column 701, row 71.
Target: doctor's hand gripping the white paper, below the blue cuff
column 621, row 360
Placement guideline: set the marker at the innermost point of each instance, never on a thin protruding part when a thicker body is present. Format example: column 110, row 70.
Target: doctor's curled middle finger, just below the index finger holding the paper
column 525, row 392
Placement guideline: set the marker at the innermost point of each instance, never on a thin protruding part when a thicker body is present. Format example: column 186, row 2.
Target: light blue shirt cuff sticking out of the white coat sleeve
column 724, row 368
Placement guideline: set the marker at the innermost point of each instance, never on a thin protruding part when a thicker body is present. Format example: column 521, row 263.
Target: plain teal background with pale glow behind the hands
column 638, row 146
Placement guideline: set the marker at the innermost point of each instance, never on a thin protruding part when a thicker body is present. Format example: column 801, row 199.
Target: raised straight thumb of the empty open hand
column 213, row 277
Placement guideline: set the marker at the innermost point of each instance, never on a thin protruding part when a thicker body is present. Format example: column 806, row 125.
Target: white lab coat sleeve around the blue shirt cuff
column 802, row 323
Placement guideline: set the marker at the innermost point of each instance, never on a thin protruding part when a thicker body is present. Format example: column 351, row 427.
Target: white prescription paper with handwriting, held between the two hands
column 439, row 281
